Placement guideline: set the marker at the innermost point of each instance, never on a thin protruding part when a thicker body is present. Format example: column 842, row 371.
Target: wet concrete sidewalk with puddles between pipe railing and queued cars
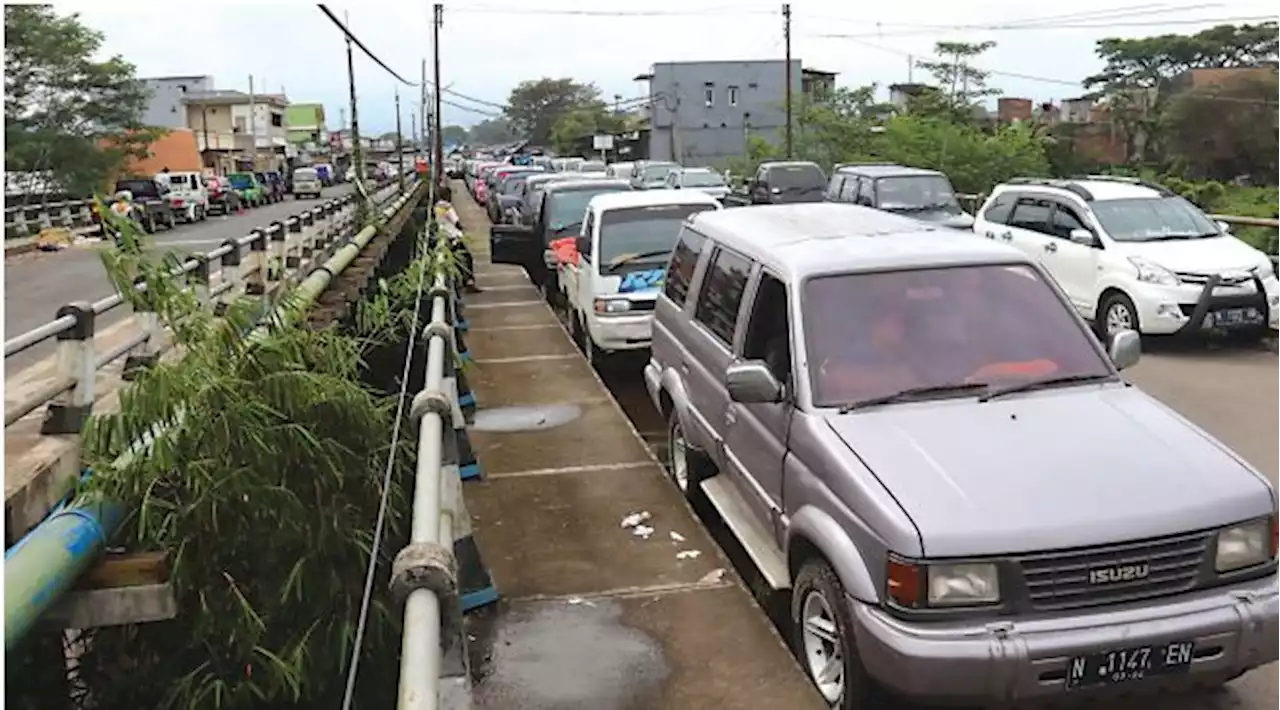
column 595, row 616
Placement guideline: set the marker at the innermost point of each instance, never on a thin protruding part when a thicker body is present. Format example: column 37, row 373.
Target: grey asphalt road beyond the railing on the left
column 39, row 283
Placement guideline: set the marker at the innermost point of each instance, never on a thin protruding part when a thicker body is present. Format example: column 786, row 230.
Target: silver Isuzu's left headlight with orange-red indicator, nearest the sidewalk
column 924, row 585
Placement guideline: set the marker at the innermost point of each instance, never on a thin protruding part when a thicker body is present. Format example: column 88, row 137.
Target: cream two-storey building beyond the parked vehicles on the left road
column 235, row 129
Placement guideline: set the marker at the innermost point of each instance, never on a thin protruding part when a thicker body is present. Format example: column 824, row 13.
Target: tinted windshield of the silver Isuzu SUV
column 871, row 336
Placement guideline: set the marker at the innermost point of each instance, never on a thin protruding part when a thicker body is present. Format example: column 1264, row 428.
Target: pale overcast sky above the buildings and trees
column 487, row 48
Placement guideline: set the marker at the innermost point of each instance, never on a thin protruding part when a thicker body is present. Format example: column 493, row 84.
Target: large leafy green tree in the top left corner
column 66, row 114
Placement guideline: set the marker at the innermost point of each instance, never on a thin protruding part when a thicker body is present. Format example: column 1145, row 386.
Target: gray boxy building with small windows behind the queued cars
column 703, row 113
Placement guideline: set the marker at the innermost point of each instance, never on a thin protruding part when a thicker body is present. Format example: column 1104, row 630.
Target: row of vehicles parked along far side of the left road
column 173, row 198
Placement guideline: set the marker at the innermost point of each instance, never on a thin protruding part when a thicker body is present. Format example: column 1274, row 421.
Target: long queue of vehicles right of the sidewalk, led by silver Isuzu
column 889, row 413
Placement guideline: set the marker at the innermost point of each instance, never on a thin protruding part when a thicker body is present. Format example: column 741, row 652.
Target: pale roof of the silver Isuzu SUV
column 830, row 239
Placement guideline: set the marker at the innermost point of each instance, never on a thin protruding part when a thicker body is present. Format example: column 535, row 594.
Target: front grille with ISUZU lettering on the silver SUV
column 1139, row 571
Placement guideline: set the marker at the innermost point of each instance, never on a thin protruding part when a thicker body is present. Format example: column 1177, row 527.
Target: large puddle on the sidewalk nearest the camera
column 559, row 656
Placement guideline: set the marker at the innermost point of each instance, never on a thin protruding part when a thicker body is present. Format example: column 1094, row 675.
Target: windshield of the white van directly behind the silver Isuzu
column 642, row 235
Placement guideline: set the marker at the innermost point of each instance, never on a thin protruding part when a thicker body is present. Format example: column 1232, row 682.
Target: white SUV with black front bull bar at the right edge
column 1133, row 255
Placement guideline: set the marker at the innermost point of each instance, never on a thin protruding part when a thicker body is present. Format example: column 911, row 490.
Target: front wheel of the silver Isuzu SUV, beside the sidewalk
column 824, row 638
